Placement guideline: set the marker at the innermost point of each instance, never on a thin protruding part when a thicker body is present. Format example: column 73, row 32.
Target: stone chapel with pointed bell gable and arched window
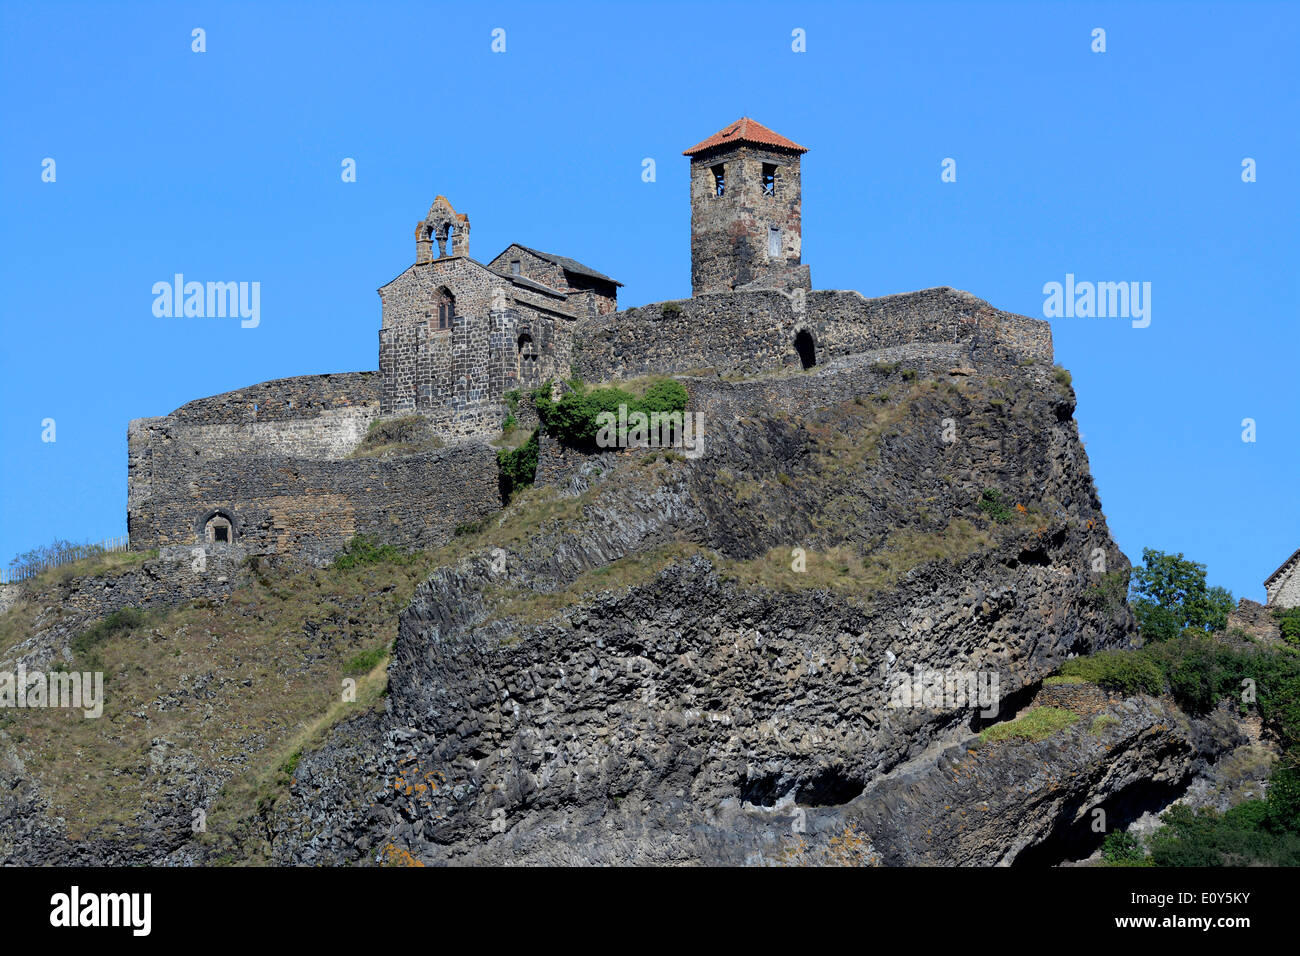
column 458, row 335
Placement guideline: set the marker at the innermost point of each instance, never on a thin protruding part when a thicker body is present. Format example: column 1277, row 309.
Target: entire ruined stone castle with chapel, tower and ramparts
column 271, row 469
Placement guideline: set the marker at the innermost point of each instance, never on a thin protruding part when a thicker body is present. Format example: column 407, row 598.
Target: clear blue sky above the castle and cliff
column 1124, row 166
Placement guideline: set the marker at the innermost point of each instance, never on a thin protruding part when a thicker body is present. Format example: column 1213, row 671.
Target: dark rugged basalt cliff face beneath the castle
column 639, row 674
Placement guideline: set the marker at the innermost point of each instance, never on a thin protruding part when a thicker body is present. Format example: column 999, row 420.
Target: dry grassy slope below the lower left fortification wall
column 229, row 684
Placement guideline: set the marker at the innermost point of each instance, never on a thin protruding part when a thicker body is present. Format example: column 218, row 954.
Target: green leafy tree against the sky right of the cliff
column 1169, row 596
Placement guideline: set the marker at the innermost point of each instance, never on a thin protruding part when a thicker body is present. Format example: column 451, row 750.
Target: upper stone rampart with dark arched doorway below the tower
column 752, row 332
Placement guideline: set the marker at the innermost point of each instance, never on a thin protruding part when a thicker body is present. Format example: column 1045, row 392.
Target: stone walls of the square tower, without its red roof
column 730, row 233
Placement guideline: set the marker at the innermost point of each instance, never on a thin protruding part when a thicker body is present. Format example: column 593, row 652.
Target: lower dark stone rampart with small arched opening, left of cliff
column 311, row 508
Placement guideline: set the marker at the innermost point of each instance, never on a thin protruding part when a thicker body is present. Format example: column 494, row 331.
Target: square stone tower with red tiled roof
column 746, row 211
